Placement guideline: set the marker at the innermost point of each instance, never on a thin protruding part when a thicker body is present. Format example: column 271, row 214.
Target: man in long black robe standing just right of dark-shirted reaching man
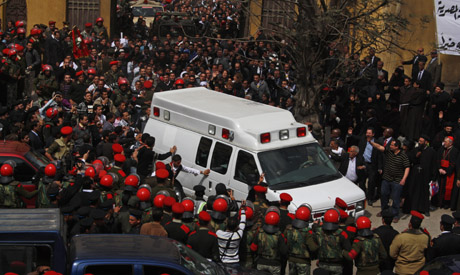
column 422, row 173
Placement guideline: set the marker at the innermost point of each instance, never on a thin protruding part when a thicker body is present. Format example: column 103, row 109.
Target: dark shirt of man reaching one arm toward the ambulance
column 395, row 165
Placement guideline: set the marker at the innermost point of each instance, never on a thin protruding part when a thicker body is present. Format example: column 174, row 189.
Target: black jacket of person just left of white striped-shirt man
column 204, row 241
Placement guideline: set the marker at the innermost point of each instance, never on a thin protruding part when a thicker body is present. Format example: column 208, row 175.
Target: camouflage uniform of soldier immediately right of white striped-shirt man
column 270, row 248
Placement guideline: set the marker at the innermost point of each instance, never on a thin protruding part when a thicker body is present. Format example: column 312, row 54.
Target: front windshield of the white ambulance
column 297, row 166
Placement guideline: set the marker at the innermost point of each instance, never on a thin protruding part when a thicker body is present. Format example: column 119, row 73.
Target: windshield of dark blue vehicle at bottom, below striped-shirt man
column 194, row 262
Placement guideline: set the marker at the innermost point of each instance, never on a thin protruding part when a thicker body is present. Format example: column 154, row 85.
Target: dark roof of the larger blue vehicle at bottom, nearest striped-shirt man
column 123, row 246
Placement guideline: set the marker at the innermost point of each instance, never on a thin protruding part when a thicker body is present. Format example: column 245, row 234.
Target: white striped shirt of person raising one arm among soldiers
column 229, row 242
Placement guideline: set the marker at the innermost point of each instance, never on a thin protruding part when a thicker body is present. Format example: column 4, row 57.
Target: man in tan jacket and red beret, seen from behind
column 408, row 248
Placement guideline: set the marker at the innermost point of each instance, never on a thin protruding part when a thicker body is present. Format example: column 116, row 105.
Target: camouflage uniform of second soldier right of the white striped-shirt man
column 300, row 243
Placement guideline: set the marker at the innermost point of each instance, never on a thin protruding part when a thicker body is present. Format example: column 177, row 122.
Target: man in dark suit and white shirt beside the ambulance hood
column 352, row 166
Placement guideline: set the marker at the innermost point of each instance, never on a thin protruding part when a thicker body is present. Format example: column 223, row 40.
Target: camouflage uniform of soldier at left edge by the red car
column 10, row 195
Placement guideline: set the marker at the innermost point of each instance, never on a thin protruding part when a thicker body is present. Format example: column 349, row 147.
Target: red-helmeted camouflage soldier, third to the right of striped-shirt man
column 331, row 241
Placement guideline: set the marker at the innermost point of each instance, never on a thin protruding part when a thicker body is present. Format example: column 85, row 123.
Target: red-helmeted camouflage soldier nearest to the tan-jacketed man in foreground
column 367, row 250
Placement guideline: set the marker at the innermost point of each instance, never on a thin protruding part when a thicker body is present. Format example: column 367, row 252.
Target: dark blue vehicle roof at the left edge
column 31, row 220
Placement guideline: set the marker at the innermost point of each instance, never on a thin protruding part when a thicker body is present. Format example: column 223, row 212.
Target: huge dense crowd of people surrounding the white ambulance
column 84, row 104
